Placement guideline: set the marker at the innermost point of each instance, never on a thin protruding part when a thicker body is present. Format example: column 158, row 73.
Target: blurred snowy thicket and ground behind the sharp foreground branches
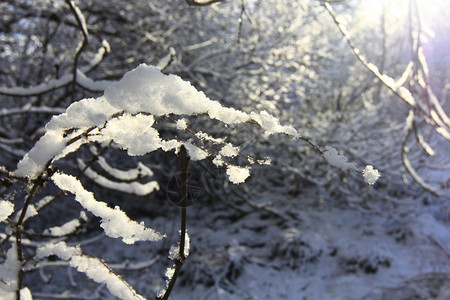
column 368, row 78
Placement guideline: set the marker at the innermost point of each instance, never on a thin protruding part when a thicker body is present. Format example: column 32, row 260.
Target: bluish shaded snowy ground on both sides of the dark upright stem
column 318, row 251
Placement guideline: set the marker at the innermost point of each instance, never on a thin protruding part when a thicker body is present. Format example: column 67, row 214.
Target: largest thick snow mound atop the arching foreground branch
column 125, row 115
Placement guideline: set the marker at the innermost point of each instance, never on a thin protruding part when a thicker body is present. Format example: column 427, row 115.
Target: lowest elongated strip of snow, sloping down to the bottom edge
column 93, row 267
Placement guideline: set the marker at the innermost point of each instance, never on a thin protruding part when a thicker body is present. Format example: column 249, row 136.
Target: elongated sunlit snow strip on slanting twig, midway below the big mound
column 114, row 221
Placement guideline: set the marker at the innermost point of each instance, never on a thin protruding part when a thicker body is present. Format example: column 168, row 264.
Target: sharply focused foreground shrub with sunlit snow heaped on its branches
column 126, row 116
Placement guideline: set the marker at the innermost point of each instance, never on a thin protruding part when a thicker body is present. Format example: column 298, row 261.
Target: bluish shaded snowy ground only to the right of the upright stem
column 330, row 254
